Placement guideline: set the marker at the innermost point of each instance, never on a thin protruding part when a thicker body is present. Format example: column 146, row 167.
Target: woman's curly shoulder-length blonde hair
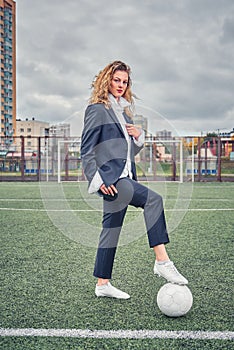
column 102, row 81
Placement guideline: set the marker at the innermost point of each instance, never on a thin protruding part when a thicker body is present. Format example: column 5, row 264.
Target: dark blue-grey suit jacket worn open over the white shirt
column 104, row 146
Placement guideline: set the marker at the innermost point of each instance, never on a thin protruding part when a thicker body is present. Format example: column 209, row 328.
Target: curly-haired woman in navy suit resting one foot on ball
column 109, row 143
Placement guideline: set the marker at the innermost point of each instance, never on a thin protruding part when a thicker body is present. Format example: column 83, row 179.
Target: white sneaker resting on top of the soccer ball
column 169, row 272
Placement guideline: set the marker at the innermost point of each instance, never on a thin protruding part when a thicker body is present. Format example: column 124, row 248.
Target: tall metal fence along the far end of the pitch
column 51, row 158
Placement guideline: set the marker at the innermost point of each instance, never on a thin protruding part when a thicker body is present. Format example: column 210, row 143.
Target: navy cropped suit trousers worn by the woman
column 132, row 193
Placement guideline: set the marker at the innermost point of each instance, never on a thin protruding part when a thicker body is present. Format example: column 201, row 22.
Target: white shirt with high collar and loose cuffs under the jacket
column 118, row 108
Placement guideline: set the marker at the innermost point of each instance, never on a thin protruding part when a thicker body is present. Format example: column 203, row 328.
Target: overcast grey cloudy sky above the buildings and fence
column 181, row 53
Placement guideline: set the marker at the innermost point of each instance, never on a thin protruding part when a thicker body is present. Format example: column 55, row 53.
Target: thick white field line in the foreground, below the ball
column 110, row 334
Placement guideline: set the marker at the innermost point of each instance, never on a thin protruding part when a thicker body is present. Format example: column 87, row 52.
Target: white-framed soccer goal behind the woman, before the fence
column 159, row 160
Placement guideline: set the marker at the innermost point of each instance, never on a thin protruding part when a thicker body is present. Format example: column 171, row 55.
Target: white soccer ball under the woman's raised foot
column 174, row 300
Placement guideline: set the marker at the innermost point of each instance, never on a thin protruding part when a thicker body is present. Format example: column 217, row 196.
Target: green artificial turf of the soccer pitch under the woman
column 46, row 277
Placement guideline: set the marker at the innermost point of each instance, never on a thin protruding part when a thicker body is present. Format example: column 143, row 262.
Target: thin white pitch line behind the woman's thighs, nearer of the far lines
column 100, row 210
